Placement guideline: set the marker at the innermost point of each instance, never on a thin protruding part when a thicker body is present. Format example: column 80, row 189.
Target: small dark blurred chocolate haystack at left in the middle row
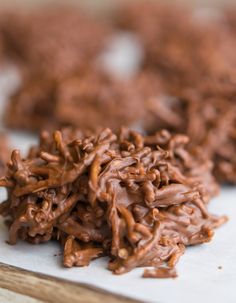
column 32, row 106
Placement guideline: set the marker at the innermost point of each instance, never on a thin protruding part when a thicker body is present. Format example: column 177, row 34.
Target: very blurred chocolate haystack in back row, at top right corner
column 184, row 46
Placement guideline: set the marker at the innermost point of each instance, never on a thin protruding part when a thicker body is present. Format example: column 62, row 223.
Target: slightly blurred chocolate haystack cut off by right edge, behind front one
column 210, row 122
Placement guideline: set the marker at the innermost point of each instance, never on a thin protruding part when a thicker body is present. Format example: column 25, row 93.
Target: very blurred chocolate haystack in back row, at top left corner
column 53, row 43
